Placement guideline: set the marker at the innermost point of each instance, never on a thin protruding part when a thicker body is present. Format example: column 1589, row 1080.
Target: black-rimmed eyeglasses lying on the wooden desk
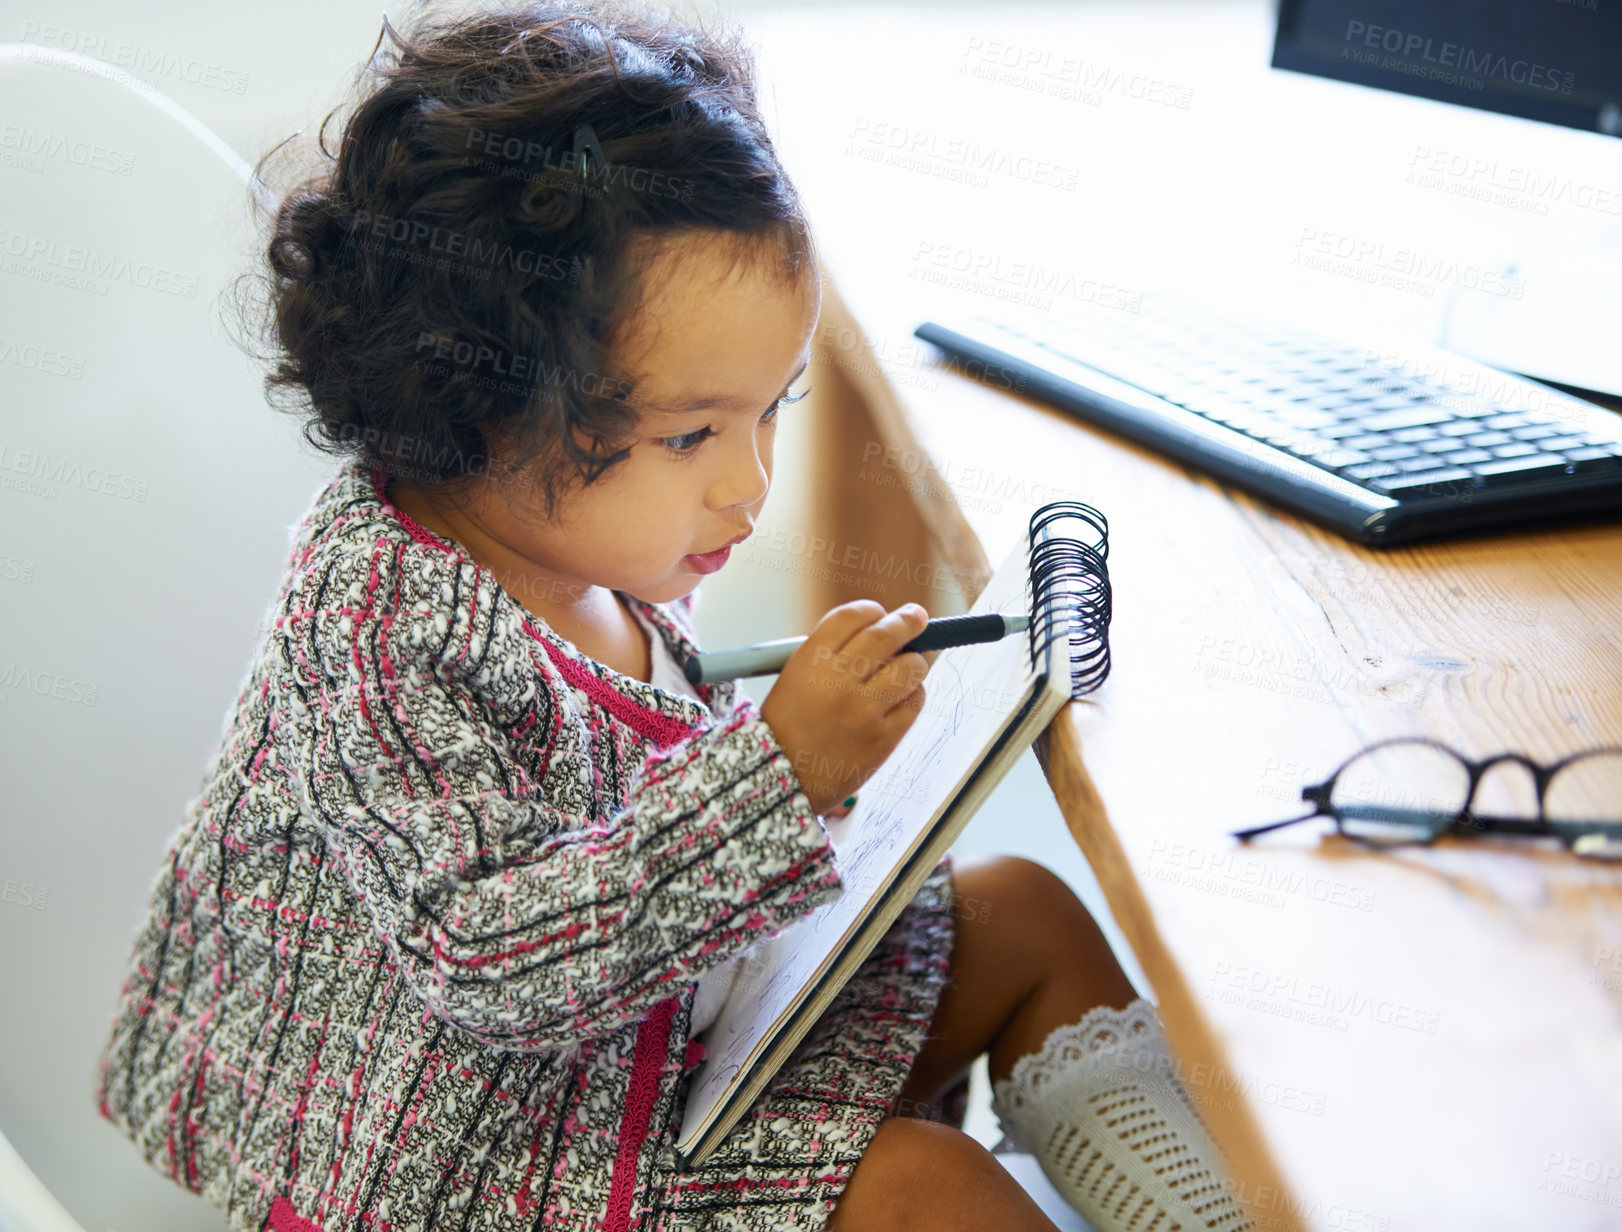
column 1409, row 790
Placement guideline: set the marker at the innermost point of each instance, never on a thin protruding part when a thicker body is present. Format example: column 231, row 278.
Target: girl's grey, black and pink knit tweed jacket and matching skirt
column 423, row 954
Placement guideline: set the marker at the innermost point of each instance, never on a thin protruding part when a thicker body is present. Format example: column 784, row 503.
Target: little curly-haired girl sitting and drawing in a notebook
column 474, row 866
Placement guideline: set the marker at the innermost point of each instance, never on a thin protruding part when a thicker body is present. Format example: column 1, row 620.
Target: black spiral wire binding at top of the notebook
column 1070, row 592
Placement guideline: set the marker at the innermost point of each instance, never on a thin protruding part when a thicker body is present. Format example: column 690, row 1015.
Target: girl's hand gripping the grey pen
column 844, row 699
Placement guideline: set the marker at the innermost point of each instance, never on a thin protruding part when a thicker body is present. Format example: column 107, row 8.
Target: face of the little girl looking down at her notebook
column 711, row 356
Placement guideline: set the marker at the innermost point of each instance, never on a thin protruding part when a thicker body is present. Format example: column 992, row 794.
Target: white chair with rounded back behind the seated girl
column 147, row 498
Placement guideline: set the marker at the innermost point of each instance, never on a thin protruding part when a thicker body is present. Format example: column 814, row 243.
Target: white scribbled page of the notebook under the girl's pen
column 972, row 693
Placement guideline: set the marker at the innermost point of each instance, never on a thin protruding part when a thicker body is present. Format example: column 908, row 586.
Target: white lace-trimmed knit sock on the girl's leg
column 1101, row 1108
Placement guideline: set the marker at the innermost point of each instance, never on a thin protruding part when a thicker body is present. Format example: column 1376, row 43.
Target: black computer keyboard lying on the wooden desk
column 1388, row 443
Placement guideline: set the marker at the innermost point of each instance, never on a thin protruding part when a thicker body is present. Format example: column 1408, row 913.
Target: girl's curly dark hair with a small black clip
column 445, row 291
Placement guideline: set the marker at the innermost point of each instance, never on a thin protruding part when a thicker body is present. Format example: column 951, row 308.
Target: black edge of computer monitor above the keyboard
column 1553, row 61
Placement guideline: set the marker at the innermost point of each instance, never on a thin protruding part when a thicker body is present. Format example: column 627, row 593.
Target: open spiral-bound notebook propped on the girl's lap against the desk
column 985, row 704
